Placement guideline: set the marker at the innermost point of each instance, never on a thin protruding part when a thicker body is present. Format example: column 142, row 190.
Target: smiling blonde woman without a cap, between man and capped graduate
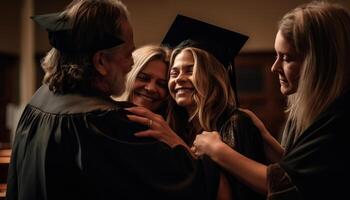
column 146, row 83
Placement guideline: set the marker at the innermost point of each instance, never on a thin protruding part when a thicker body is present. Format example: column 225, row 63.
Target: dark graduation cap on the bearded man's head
column 63, row 38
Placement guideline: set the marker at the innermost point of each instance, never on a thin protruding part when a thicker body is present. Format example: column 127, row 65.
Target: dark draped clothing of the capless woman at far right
column 316, row 165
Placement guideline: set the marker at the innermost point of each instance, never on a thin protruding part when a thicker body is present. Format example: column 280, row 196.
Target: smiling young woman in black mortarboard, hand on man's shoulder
column 202, row 87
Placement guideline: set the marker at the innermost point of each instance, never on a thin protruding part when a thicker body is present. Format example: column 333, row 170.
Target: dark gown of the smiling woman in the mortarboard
column 239, row 132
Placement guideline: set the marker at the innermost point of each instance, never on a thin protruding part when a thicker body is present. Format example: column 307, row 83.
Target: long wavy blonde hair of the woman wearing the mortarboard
column 213, row 95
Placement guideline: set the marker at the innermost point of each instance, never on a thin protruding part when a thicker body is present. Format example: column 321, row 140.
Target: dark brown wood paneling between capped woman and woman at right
column 258, row 89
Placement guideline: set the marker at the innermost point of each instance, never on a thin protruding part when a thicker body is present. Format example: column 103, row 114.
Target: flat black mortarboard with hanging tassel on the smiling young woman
column 223, row 44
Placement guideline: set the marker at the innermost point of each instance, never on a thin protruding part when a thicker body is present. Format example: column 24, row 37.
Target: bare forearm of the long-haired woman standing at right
column 246, row 170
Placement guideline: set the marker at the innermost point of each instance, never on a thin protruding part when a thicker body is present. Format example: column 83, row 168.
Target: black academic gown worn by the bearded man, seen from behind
column 82, row 147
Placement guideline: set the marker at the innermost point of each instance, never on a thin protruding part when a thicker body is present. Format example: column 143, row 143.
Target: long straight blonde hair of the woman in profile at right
column 320, row 32
